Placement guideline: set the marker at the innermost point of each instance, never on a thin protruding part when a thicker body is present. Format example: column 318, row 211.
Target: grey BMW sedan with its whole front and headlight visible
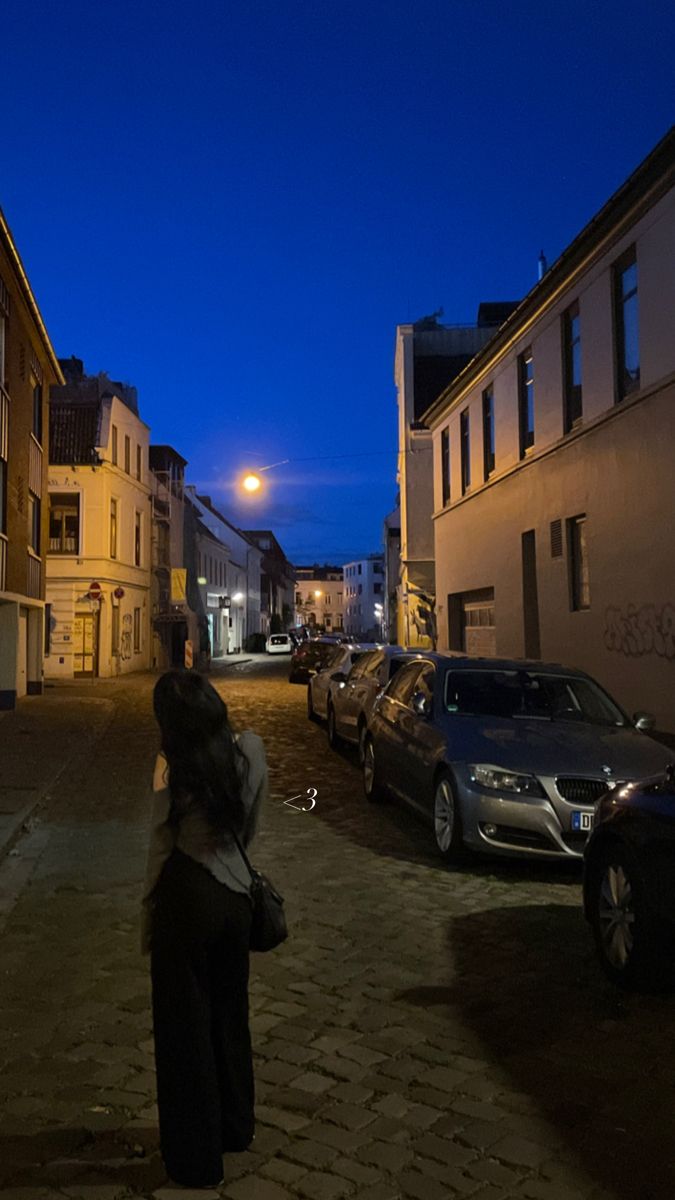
column 501, row 755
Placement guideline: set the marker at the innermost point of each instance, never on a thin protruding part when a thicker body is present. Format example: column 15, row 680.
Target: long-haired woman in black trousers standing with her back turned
column 198, row 921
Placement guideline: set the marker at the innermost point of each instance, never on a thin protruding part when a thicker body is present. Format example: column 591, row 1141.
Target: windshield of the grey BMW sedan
column 533, row 695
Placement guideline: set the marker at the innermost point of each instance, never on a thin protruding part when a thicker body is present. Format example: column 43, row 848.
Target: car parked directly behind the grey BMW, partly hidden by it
column 353, row 695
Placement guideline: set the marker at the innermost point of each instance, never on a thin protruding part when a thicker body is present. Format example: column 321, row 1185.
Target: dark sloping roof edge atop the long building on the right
column 644, row 188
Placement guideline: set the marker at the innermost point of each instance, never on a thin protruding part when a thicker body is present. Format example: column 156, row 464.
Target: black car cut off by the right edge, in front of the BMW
column 630, row 883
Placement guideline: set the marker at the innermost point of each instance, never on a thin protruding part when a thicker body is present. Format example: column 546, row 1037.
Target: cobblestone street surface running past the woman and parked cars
column 423, row 1034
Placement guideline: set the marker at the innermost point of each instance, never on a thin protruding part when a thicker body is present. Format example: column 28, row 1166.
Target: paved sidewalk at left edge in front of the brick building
column 38, row 743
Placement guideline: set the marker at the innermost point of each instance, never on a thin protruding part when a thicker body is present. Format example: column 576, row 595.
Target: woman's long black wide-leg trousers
column 200, row 967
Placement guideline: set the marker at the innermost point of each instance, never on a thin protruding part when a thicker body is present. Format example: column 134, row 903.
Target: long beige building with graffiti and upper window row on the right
column 554, row 488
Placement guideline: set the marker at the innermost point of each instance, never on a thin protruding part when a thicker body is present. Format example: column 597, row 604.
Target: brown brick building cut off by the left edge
column 28, row 369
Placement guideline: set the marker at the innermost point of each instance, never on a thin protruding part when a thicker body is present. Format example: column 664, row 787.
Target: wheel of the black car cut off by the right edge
column 635, row 947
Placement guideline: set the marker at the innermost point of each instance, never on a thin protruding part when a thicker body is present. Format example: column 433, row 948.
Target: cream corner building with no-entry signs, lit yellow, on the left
column 99, row 530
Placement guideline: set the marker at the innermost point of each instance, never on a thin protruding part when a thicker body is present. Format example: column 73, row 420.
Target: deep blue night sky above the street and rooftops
column 232, row 206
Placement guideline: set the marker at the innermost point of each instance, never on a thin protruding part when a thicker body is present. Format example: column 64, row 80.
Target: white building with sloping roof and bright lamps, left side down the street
column 229, row 577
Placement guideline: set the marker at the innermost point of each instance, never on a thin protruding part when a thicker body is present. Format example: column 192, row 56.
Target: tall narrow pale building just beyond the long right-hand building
column 428, row 357
